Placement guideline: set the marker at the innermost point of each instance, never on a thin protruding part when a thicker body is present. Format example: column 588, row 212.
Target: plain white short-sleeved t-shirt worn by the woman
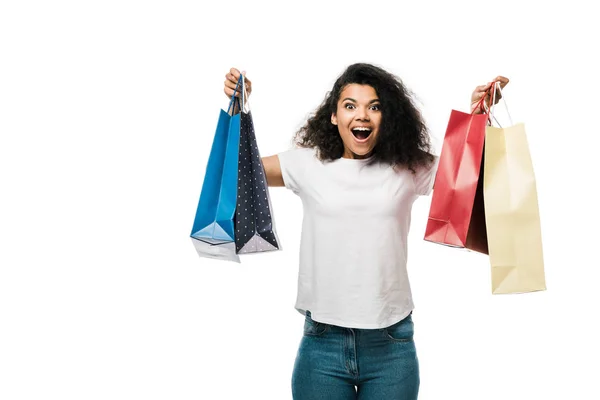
column 353, row 248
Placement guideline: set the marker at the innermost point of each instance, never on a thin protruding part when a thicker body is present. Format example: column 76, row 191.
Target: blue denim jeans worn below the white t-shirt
column 336, row 363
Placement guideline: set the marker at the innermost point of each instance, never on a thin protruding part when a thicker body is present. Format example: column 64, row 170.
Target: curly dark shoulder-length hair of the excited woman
column 403, row 136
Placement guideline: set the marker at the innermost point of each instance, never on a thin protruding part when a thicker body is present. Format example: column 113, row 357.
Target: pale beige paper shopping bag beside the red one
column 511, row 211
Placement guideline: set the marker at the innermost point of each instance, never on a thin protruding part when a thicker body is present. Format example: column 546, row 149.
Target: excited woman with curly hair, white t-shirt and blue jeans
column 362, row 159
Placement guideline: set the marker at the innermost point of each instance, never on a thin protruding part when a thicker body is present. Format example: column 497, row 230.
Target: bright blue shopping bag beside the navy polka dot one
column 213, row 228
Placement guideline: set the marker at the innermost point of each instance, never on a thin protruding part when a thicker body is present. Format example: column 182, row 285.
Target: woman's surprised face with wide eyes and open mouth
column 358, row 117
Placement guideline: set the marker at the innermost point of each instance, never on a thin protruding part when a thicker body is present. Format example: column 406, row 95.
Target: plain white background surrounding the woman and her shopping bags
column 107, row 111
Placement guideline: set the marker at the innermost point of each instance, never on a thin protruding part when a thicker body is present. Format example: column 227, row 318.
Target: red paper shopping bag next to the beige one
column 456, row 215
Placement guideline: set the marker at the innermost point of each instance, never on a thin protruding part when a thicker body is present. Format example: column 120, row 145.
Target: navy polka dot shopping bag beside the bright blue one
column 254, row 223
